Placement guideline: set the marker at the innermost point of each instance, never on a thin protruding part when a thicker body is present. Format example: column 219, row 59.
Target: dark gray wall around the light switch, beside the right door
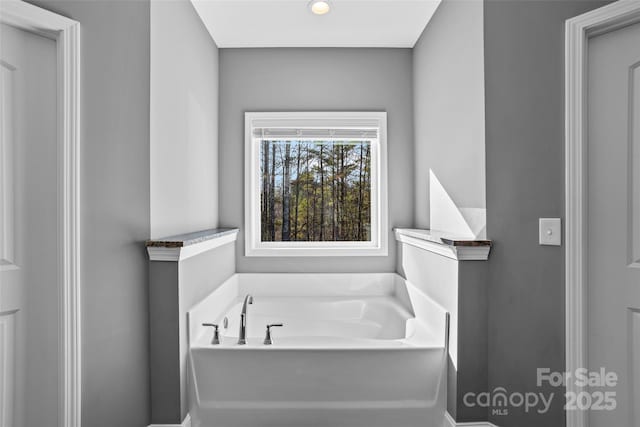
column 524, row 69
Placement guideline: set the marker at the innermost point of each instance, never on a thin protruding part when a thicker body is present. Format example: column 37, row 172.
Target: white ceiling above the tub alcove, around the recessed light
column 290, row 23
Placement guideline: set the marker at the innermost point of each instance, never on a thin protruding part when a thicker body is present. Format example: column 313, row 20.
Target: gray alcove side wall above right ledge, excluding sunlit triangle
column 448, row 80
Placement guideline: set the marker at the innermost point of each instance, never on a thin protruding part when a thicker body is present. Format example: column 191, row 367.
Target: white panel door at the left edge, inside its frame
column 29, row 276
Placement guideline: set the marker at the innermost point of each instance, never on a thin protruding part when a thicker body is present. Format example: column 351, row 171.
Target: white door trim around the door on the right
column 578, row 31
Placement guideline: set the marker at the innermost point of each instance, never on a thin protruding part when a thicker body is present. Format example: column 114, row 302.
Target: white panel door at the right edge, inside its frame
column 613, row 217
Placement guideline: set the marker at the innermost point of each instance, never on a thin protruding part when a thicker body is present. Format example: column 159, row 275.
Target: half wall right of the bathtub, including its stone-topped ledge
column 449, row 270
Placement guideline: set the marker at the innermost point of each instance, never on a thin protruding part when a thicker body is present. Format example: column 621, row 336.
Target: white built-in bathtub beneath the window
column 354, row 350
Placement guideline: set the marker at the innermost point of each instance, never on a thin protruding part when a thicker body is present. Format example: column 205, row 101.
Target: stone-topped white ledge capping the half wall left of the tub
column 180, row 247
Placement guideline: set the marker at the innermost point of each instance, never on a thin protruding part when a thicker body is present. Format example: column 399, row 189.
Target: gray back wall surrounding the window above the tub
column 323, row 80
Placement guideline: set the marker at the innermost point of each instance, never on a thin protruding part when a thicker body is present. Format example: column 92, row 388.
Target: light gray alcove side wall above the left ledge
column 184, row 121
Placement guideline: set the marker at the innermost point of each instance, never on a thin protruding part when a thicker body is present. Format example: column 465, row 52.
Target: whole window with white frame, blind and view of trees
column 315, row 184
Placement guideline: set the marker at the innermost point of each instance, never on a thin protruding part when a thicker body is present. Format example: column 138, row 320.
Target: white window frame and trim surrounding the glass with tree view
column 378, row 245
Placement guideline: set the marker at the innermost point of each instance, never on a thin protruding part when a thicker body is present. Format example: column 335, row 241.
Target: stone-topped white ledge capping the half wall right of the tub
column 447, row 245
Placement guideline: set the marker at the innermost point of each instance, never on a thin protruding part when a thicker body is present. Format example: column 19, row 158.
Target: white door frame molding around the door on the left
column 66, row 33
